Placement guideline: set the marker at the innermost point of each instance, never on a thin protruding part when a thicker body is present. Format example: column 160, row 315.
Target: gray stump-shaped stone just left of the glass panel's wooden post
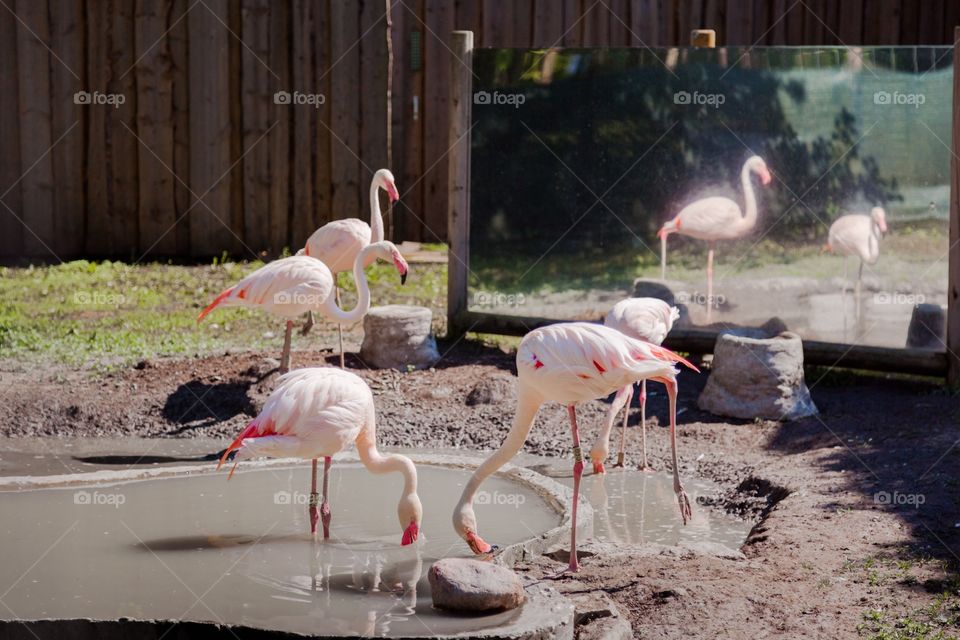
column 398, row 336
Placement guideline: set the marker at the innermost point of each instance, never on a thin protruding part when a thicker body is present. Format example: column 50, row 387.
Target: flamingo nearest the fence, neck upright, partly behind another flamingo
column 337, row 243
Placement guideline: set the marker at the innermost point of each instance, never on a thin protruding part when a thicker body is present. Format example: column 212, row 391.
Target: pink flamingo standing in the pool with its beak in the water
column 316, row 413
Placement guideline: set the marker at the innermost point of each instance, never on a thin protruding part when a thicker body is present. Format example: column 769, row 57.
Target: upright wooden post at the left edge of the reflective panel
column 458, row 180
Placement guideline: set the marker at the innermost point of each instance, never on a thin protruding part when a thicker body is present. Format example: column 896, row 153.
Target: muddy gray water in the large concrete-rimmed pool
column 200, row 548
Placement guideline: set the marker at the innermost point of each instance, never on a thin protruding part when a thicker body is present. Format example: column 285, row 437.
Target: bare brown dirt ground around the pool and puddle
column 858, row 519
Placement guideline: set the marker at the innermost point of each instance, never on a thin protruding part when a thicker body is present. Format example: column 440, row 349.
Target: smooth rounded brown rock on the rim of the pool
column 464, row 584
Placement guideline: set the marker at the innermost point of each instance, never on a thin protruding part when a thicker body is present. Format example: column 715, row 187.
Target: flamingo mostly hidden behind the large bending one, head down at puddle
column 650, row 320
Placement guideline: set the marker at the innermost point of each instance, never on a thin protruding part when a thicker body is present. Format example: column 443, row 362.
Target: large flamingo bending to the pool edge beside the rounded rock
column 570, row 363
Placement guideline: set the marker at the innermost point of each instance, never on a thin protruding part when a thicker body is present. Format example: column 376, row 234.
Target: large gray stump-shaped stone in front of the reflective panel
column 758, row 378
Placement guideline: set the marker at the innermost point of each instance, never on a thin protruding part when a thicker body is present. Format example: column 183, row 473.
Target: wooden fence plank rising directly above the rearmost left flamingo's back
column 345, row 110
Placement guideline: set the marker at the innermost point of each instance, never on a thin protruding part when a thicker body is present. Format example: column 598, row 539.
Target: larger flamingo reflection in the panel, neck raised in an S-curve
column 716, row 218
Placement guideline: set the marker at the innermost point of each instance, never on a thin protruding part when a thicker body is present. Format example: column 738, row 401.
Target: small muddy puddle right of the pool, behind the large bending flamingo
column 633, row 507
